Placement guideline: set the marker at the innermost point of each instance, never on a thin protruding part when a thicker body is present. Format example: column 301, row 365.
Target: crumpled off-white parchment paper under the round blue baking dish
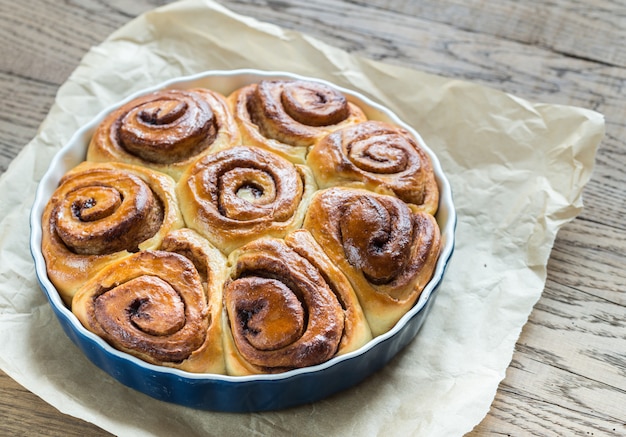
column 517, row 170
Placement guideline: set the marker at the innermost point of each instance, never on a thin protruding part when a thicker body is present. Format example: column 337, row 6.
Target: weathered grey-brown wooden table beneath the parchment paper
column 568, row 373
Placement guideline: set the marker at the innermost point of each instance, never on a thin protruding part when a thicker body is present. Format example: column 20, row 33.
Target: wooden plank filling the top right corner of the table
column 568, row 28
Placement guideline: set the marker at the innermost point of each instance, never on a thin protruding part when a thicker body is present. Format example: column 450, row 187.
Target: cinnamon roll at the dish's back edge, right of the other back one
column 289, row 116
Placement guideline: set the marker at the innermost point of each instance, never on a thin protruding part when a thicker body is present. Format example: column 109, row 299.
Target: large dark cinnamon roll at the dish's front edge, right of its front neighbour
column 280, row 312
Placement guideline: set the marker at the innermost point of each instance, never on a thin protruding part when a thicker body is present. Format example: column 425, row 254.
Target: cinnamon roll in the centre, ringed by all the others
column 236, row 195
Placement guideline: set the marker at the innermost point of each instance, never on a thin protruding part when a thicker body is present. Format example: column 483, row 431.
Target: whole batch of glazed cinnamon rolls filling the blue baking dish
column 270, row 229
